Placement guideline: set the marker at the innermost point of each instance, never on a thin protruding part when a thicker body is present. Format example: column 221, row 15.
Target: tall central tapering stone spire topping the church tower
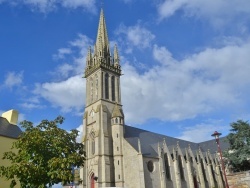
column 102, row 42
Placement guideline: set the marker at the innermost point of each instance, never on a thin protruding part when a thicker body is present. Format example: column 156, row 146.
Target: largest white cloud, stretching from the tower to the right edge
column 211, row 80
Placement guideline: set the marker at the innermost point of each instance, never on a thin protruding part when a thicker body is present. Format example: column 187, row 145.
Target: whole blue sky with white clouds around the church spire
column 185, row 62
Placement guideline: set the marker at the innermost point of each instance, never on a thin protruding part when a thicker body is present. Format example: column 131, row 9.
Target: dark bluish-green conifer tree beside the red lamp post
column 238, row 153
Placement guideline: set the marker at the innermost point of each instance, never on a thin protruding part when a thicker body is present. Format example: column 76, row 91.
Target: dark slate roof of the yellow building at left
column 9, row 130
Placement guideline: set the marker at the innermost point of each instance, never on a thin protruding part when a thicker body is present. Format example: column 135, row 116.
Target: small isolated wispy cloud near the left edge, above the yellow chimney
column 13, row 79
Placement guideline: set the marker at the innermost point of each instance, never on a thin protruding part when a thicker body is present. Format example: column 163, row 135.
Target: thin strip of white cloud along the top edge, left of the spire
column 50, row 5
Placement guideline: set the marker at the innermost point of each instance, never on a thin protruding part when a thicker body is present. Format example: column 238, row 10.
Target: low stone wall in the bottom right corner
column 239, row 180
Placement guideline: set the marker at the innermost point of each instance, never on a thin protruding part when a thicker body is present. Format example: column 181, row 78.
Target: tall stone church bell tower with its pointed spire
column 103, row 118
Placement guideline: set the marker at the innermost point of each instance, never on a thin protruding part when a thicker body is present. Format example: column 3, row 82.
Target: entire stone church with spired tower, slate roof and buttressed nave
column 118, row 155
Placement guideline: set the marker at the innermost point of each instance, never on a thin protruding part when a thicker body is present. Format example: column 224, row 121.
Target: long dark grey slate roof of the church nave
column 149, row 142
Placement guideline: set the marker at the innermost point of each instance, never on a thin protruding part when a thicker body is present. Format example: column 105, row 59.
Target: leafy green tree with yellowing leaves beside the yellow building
column 45, row 155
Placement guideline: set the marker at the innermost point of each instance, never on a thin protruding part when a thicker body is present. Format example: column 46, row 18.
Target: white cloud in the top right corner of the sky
column 217, row 12
